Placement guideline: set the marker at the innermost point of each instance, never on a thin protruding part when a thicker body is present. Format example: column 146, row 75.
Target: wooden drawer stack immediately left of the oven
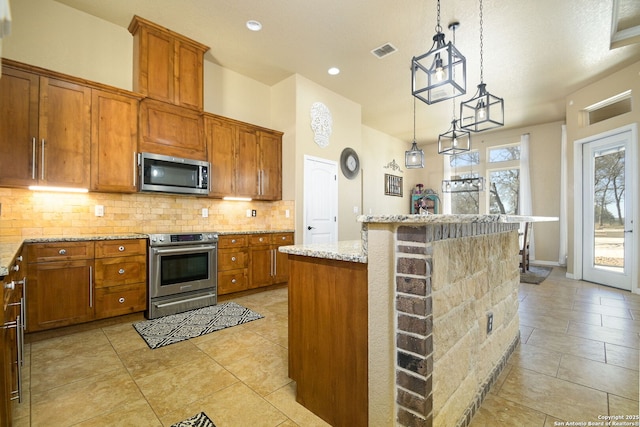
column 120, row 277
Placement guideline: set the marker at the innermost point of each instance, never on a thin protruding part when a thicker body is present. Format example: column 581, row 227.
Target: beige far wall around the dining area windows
column 544, row 152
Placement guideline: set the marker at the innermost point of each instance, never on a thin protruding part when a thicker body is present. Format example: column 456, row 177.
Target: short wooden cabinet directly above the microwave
column 171, row 131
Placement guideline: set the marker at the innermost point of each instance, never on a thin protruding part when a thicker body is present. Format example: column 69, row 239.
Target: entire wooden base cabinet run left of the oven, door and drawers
column 76, row 282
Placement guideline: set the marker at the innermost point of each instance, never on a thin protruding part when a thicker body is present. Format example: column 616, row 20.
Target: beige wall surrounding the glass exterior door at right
column 625, row 79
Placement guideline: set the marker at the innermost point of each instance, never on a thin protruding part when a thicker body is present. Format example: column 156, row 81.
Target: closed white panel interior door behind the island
column 320, row 201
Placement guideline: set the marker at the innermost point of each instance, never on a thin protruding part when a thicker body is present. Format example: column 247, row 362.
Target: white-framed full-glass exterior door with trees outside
column 607, row 223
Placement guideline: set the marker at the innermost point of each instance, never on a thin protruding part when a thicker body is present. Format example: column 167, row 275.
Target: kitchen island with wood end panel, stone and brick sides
column 435, row 298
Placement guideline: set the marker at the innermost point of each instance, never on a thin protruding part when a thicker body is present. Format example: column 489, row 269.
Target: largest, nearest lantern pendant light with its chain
column 433, row 73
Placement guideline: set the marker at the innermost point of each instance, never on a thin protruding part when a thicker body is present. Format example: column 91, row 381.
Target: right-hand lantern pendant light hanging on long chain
column 484, row 111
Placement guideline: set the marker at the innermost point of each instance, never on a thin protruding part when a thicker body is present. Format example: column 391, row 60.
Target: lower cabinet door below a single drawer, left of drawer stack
column 59, row 294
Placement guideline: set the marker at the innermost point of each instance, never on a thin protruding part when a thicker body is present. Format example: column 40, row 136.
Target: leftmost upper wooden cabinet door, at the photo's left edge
column 18, row 127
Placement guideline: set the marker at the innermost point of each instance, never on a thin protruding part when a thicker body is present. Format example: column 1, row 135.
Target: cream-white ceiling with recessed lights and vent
column 535, row 52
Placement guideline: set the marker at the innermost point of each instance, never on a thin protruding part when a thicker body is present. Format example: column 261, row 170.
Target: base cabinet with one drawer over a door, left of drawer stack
column 59, row 284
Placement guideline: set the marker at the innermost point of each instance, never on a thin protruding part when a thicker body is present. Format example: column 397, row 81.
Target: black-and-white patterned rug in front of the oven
column 182, row 326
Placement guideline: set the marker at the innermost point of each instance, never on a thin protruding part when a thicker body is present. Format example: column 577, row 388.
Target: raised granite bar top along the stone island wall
column 449, row 219
